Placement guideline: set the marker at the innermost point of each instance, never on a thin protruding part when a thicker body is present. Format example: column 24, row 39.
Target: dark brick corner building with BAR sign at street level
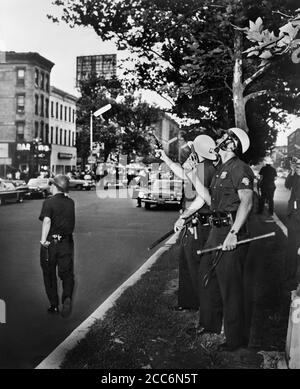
column 24, row 111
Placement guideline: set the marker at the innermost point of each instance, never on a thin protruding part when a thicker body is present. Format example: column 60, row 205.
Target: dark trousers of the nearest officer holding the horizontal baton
column 226, row 293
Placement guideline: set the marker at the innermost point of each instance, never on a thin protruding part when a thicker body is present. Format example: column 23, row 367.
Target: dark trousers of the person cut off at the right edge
column 293, row 259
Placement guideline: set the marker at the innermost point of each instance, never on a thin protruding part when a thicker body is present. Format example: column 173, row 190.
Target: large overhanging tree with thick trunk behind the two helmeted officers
column 192, row 52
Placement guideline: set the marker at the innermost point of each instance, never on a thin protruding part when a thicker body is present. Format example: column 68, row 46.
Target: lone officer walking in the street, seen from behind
column 57, row 246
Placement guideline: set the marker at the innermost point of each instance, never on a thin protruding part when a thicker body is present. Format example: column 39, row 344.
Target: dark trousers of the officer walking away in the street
column 58, row 256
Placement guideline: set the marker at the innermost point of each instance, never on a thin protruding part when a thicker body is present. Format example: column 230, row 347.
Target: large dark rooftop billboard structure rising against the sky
column 104, row 66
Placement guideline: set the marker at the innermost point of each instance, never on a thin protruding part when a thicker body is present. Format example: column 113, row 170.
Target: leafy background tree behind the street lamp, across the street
column 126, row 124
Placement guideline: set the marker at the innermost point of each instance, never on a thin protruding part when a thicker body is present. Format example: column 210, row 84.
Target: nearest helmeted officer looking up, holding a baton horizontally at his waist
column 231, row 201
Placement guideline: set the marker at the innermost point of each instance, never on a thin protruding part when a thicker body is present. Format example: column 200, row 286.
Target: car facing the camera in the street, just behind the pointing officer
column 162, row 192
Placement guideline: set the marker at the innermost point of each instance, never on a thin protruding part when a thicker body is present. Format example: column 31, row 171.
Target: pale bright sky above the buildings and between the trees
column 24, row 27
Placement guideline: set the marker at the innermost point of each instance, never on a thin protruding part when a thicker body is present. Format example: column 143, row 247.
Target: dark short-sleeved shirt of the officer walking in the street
column 61, row 210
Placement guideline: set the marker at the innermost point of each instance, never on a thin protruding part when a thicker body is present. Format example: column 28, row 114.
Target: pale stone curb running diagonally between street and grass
column 55, row 359
